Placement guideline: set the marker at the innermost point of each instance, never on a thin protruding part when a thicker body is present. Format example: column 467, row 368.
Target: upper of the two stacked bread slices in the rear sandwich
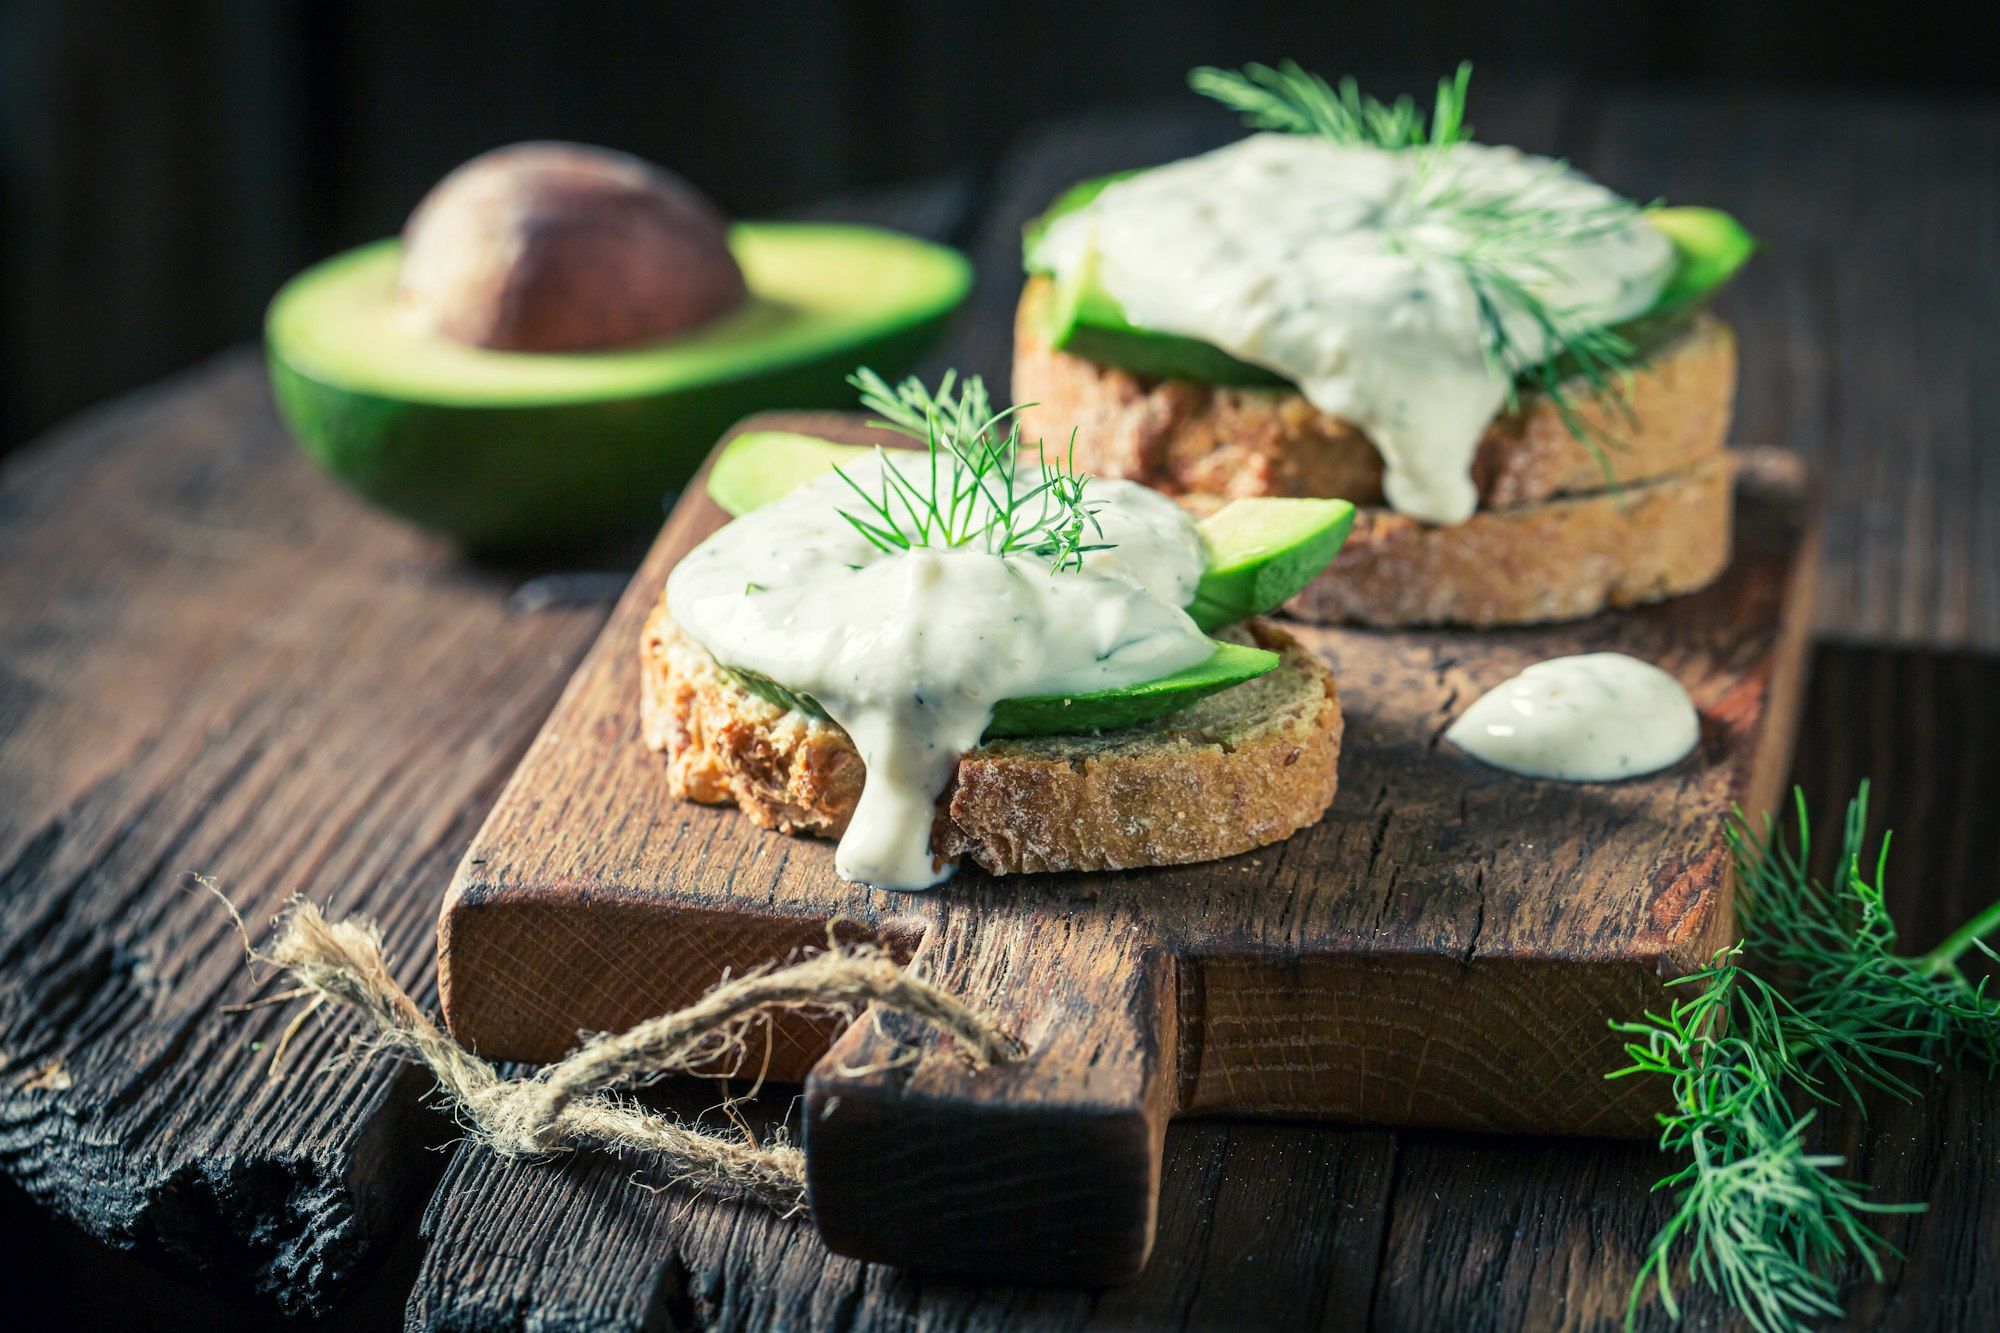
column 1201, row 439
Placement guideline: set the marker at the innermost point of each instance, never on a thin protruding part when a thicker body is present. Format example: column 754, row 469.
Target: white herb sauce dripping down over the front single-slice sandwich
column 909, row 651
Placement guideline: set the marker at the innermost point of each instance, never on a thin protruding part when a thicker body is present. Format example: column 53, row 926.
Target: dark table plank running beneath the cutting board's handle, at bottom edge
column 1261, row 1226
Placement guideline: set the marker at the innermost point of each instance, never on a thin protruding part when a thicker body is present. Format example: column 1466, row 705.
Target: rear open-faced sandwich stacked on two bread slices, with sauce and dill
column 1509, row 367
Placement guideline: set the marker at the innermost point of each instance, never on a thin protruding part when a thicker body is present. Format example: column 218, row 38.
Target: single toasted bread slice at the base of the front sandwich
column 1235, row 772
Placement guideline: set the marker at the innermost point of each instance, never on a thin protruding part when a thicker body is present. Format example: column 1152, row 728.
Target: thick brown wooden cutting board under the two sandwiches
column 1441, row 950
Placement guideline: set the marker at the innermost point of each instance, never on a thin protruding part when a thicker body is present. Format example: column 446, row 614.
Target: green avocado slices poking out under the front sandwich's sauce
column 1261, row 553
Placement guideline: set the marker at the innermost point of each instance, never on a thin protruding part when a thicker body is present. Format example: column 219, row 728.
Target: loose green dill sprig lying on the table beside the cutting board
column 1811, row 1008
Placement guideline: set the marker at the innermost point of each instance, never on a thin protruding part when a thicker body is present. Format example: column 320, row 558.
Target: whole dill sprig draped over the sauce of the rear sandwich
column 1499, row 241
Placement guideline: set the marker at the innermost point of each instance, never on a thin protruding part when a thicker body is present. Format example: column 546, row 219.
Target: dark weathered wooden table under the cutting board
column 215, row 661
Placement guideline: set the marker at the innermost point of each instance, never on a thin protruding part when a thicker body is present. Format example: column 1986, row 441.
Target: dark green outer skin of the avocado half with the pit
column 563, row 477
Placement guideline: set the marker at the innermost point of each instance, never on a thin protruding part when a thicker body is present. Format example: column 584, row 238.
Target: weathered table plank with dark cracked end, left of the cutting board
column 213, row 661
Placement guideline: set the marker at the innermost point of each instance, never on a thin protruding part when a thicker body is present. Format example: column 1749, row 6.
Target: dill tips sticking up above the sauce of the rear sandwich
column 1297, row 103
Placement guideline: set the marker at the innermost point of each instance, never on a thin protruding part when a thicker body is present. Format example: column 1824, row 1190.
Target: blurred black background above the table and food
column 167, row 165
